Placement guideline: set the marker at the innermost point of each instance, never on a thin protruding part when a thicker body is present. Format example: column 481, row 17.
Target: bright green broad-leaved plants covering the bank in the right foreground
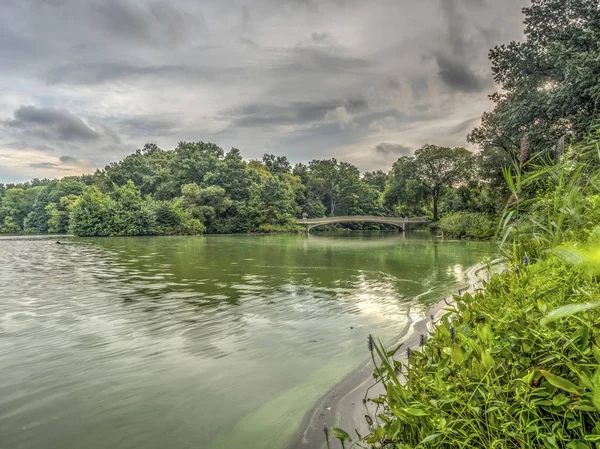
column 510, row 367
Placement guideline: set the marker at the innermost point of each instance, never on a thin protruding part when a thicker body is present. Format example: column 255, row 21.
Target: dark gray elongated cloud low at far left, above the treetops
column 51, row 123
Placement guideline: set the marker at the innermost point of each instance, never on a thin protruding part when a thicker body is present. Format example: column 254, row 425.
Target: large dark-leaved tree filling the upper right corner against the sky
column 549, row 81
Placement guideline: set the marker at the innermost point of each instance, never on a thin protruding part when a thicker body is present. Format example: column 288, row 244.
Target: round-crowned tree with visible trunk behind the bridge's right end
column 439, row 168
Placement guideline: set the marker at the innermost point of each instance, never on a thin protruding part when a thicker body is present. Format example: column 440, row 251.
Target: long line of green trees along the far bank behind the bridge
column 198, row 187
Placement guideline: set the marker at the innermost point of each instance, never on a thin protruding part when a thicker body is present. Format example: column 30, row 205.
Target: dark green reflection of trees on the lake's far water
column 188, row 279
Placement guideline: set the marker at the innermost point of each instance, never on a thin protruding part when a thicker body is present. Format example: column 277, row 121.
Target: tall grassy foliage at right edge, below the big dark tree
column 551, row 203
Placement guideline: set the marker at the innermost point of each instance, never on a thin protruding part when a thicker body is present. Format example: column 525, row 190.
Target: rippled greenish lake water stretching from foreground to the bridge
column 198, row 342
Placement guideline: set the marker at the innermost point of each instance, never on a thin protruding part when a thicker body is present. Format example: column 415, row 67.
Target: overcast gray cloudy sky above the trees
column 85, row 82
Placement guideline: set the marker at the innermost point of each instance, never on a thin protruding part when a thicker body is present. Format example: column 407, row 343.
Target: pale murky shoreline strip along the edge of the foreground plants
column 343, row 406
